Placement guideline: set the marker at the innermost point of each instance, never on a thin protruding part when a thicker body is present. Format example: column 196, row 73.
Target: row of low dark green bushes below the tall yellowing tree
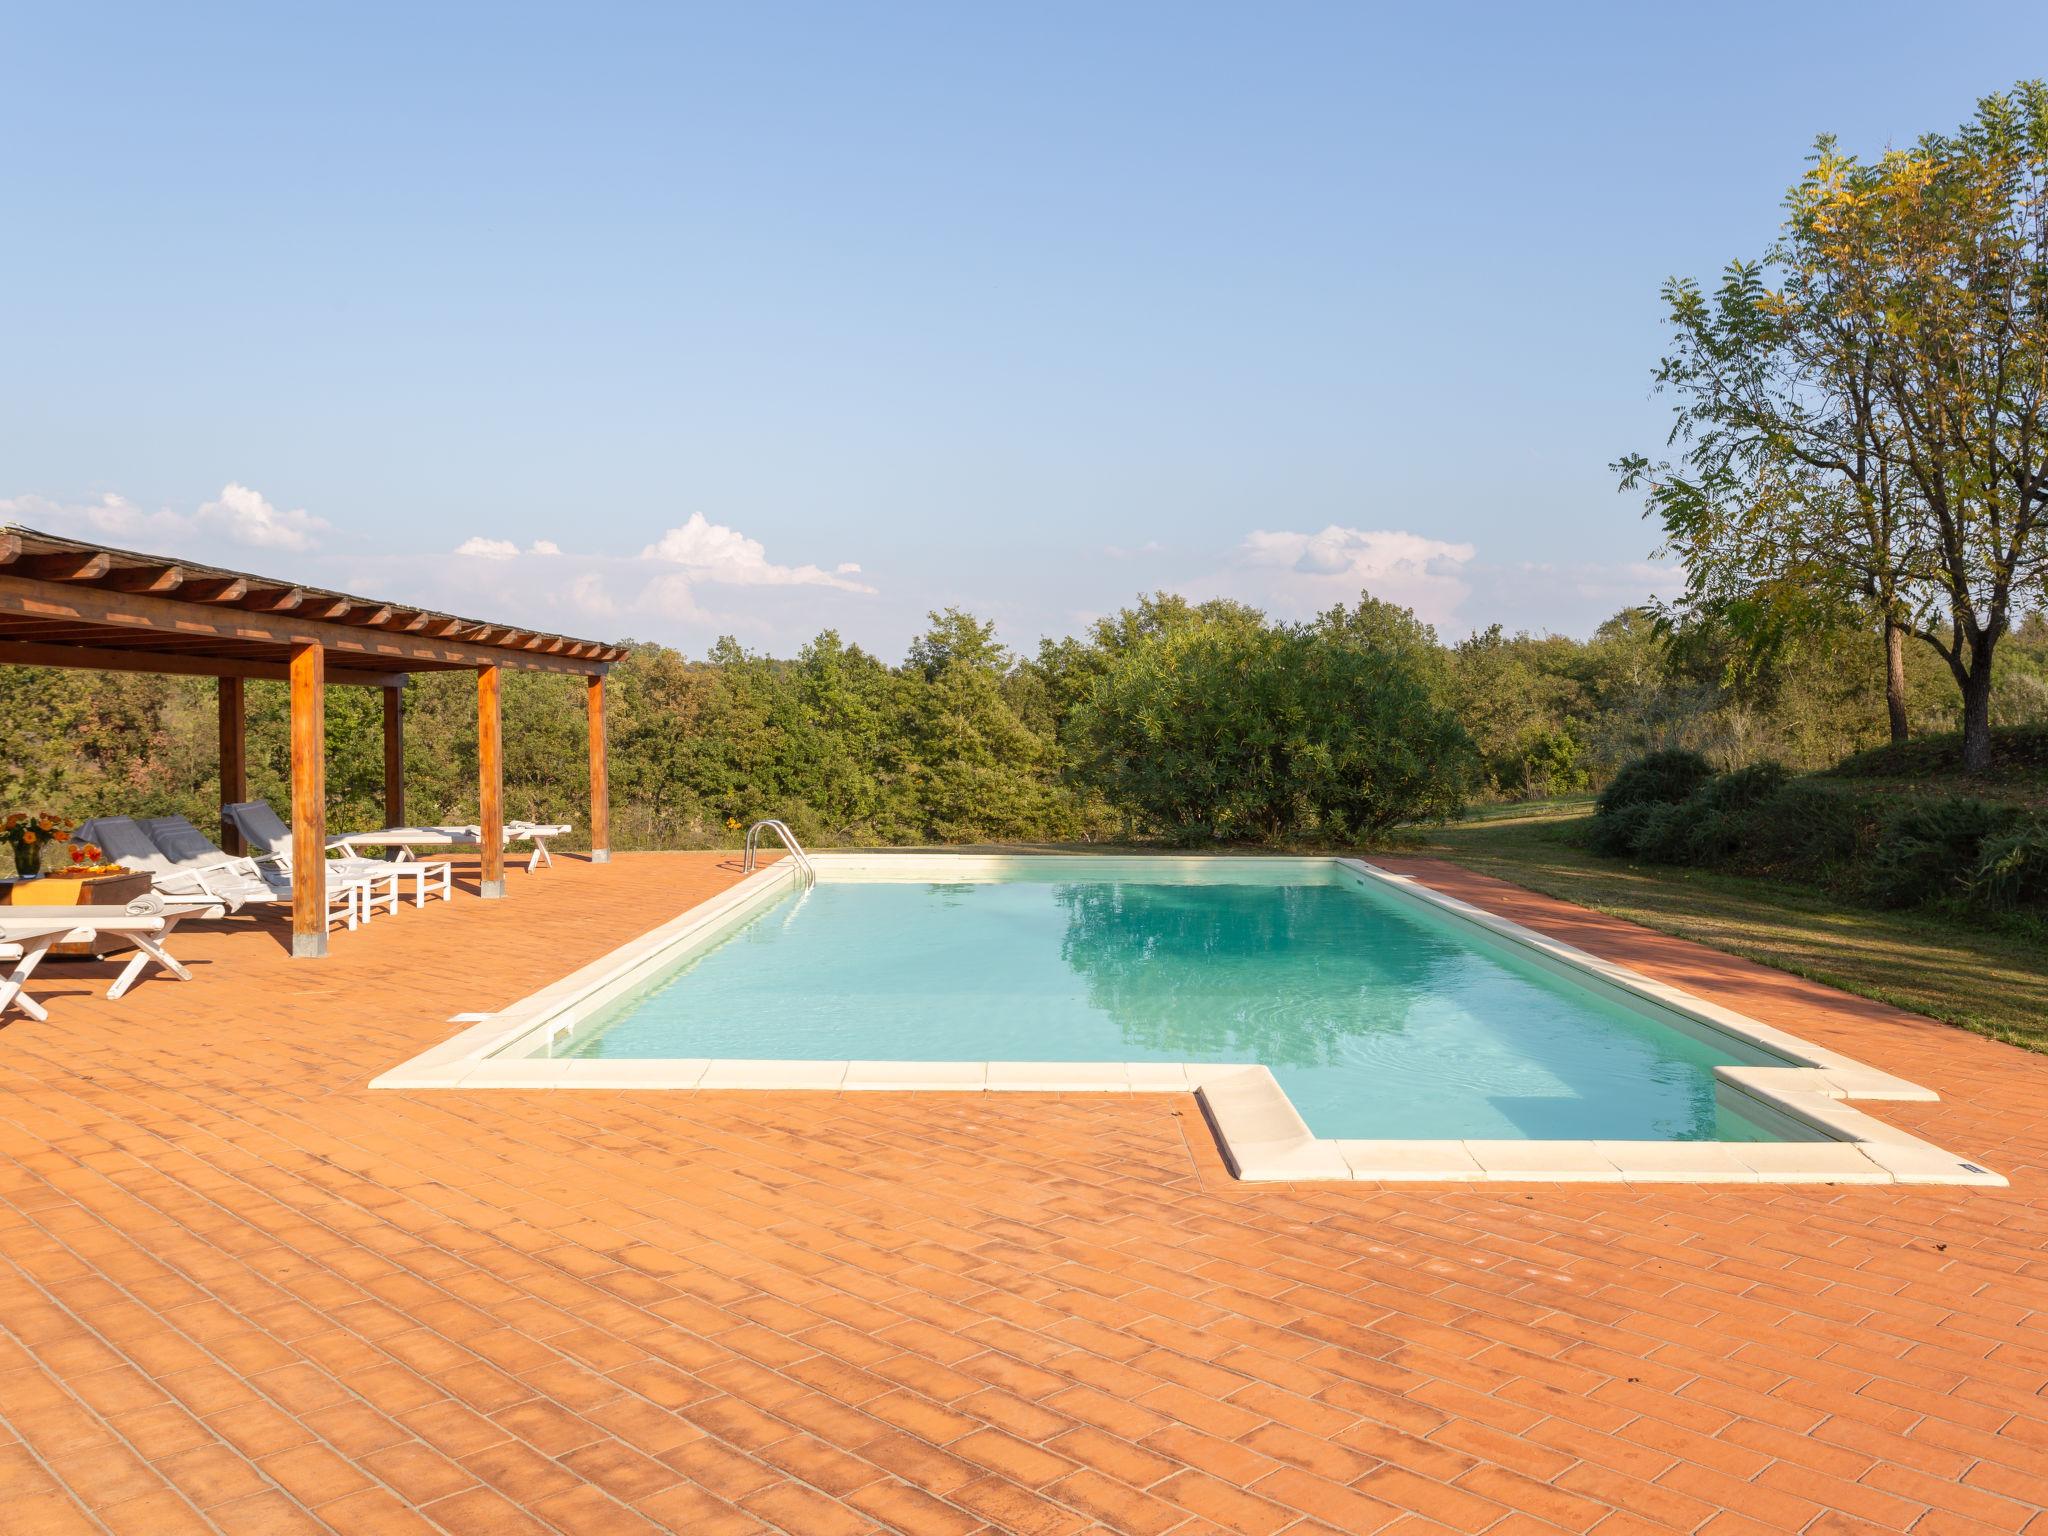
column 1889, row 851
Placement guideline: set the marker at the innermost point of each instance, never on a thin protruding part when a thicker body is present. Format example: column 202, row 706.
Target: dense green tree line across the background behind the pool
column 1172, row 722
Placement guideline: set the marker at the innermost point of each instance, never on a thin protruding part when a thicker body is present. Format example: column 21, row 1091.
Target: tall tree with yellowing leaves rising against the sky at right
column 1875, row 431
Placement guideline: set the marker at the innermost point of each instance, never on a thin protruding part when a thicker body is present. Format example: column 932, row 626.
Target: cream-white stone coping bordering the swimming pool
column 1256, row 1125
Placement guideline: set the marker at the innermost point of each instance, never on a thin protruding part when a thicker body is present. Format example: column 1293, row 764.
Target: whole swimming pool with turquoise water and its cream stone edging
column 1332, row 1021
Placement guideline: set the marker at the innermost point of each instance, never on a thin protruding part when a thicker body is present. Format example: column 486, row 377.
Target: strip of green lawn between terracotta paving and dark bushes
column 1988, row 982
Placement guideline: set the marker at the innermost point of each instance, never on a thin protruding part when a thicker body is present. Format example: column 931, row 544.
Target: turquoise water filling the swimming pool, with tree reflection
column 1377, row 1017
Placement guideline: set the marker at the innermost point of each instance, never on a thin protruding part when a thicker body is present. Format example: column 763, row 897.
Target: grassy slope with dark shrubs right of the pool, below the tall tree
column 1881, row 876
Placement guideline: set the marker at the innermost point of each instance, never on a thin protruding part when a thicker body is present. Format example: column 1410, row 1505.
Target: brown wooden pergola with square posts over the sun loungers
column 73, row 605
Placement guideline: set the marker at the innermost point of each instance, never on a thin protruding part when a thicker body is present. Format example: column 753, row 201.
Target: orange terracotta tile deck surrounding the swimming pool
column 243, row 1293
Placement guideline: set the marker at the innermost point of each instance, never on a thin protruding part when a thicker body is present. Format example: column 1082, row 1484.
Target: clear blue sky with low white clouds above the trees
column 689, row 321
